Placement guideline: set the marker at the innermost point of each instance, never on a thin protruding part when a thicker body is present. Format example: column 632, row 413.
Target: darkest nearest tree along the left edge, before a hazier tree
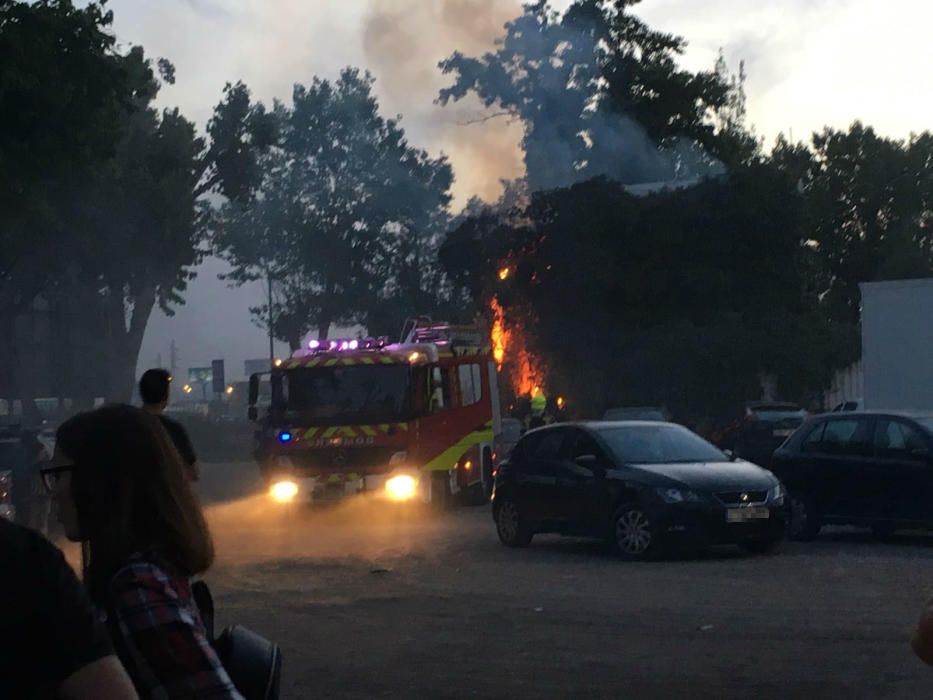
column 63, row 95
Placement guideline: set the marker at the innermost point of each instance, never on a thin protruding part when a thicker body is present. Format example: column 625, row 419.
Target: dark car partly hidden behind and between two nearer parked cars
column 760, row 430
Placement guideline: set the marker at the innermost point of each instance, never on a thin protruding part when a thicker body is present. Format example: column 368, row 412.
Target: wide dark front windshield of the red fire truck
column 355, row 394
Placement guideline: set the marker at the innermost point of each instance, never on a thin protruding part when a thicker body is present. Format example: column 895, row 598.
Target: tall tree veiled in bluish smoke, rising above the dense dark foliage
column 600, row 93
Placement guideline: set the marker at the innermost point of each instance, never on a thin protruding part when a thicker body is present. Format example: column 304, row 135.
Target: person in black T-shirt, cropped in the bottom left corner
column 52, row 643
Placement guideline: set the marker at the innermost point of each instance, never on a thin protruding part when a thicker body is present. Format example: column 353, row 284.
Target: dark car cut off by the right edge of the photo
column 870, row 468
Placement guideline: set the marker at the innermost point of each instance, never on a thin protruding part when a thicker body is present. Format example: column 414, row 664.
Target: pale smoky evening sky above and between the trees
column 810, row 63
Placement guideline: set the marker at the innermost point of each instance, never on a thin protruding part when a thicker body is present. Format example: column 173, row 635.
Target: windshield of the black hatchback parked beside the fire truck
column 658, row 444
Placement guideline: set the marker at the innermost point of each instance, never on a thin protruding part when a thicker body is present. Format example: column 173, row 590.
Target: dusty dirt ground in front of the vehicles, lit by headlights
column 372, row 601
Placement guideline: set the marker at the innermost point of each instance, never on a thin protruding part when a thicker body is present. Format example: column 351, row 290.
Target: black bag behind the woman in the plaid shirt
column 253, row 663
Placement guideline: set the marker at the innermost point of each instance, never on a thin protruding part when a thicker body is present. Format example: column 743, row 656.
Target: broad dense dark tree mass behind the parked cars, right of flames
column 678, row 316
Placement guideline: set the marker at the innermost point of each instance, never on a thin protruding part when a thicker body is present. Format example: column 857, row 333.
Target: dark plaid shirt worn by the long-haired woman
column 160, row 636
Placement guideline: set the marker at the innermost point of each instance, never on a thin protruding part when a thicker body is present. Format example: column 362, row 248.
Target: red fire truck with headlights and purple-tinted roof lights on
column 410, row 420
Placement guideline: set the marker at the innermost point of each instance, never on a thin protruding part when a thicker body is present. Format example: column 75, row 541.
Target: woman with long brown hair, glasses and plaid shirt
column 120, row 487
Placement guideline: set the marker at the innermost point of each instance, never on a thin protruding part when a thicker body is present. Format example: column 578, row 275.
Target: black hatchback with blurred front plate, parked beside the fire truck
column 639, row 485
